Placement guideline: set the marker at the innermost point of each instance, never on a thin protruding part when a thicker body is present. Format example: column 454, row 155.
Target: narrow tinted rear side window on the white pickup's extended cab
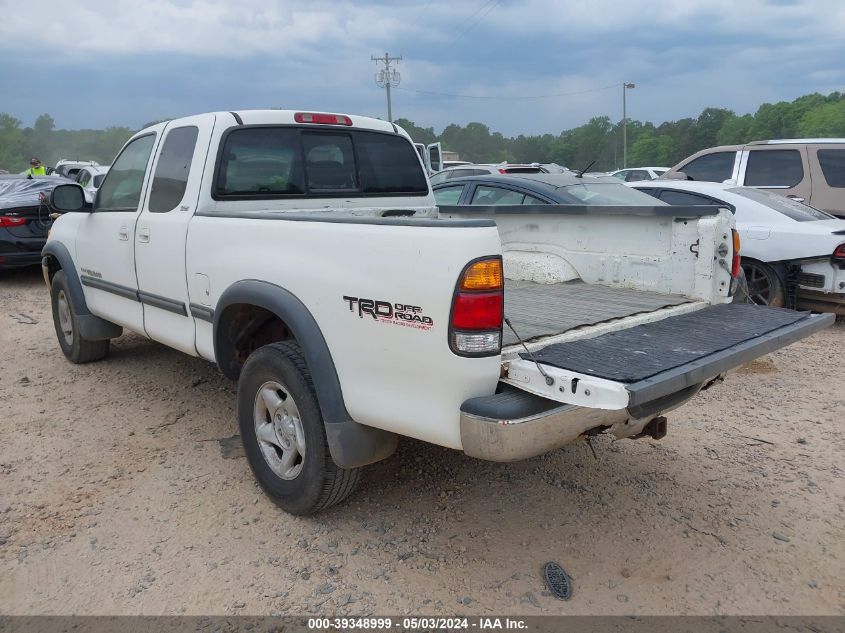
column 174, row 164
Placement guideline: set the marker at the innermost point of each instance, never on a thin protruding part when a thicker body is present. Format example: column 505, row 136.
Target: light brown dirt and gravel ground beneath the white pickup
column 122, row 491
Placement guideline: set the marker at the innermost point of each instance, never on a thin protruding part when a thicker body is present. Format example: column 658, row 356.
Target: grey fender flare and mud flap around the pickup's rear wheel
column 351, row 444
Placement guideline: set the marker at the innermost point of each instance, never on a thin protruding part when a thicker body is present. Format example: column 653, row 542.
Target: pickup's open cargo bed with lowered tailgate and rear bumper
column 614, row 317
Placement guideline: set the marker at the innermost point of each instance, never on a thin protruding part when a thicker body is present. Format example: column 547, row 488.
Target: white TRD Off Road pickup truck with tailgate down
column 303, row 253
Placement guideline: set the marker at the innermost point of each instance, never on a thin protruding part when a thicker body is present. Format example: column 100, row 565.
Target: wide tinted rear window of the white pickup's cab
column 273, row 162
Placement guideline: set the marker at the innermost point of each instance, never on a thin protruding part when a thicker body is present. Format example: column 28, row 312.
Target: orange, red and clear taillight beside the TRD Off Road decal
column 477, row 309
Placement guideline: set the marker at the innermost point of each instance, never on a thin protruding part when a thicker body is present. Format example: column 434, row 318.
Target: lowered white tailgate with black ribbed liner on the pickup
column 631, row 367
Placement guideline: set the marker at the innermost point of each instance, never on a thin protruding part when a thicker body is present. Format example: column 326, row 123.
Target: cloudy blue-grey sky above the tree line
column 519, row 66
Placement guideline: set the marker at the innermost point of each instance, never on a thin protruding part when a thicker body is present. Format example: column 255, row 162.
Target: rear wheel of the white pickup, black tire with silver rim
column 284, row 435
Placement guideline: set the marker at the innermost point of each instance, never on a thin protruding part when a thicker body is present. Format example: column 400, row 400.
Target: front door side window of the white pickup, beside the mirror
column 121, row 190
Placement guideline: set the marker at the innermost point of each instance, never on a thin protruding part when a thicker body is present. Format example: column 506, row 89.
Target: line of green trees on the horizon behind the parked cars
column 599, row 140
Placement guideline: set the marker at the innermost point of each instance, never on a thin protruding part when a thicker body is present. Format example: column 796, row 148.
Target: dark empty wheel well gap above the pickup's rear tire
column 241, row 330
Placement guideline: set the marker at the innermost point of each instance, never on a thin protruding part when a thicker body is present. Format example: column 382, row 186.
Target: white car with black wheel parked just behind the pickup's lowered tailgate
column 787, row 246
